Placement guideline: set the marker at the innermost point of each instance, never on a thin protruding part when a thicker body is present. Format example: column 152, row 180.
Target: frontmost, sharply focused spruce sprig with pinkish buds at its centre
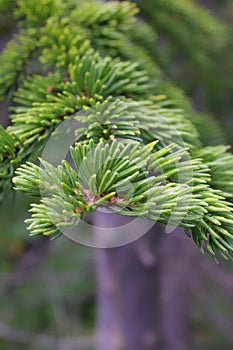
column 130, row 180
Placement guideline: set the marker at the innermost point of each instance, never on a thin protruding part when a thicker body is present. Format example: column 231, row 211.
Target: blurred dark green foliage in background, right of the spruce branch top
column 188, row 38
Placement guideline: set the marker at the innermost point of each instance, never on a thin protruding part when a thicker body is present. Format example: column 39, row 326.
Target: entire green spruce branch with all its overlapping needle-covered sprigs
column 137, row 151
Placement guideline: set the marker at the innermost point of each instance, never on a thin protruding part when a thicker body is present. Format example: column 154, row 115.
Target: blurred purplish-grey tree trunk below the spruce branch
column 142, row 292
